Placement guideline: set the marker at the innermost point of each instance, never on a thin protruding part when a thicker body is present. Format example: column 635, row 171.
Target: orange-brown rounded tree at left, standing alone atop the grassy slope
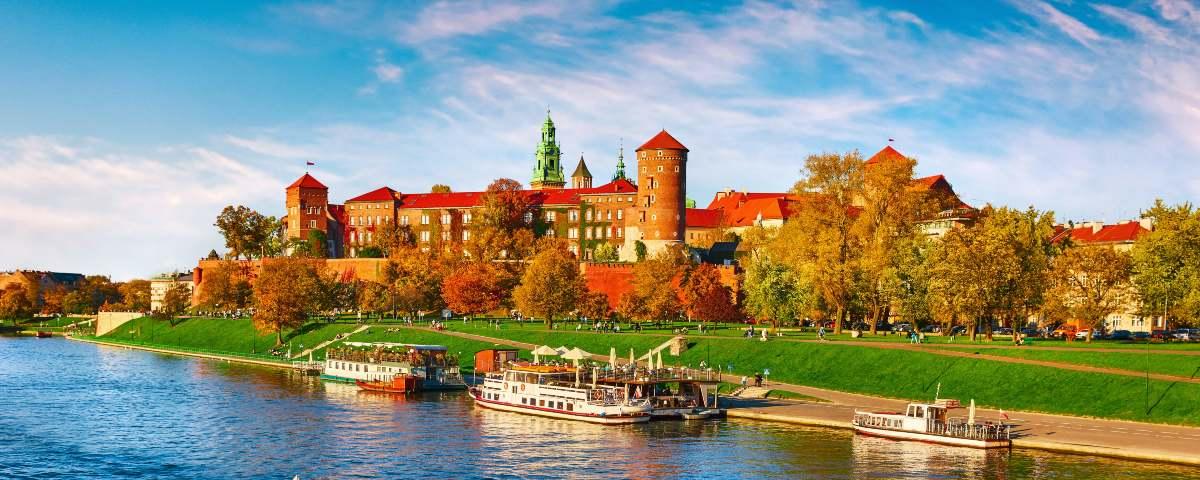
column 285, row 295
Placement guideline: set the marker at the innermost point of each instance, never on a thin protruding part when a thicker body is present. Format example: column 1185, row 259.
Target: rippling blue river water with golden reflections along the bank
column 76, row 411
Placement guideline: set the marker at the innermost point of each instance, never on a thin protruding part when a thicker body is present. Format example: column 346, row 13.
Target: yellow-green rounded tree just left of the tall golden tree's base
column 775, row 292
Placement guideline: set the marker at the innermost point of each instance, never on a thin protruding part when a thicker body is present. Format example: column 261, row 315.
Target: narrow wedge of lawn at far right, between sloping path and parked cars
column 1133, row 361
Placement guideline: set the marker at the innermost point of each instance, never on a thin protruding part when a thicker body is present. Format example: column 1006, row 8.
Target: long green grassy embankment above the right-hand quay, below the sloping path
column 909, row 375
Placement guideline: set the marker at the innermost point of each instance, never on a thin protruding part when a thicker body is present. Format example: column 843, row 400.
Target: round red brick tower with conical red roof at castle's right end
column 658, row 217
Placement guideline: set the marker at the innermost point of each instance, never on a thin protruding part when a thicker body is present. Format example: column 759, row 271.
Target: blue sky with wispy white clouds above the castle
column 127, row 127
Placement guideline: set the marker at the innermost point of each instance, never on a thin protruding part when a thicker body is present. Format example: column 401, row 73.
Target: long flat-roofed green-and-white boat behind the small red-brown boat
column 382, row 362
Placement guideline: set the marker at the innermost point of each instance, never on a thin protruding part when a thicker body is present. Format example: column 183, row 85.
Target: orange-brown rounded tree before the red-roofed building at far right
column 1093, row 283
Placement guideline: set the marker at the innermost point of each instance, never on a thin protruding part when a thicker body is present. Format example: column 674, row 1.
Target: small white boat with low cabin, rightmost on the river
column 932, row 423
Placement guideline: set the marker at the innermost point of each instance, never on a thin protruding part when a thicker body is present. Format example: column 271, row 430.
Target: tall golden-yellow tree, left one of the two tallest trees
column 821, row 238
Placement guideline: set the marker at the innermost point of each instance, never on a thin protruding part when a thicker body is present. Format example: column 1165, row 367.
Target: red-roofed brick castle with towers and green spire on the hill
column 620, row 213
